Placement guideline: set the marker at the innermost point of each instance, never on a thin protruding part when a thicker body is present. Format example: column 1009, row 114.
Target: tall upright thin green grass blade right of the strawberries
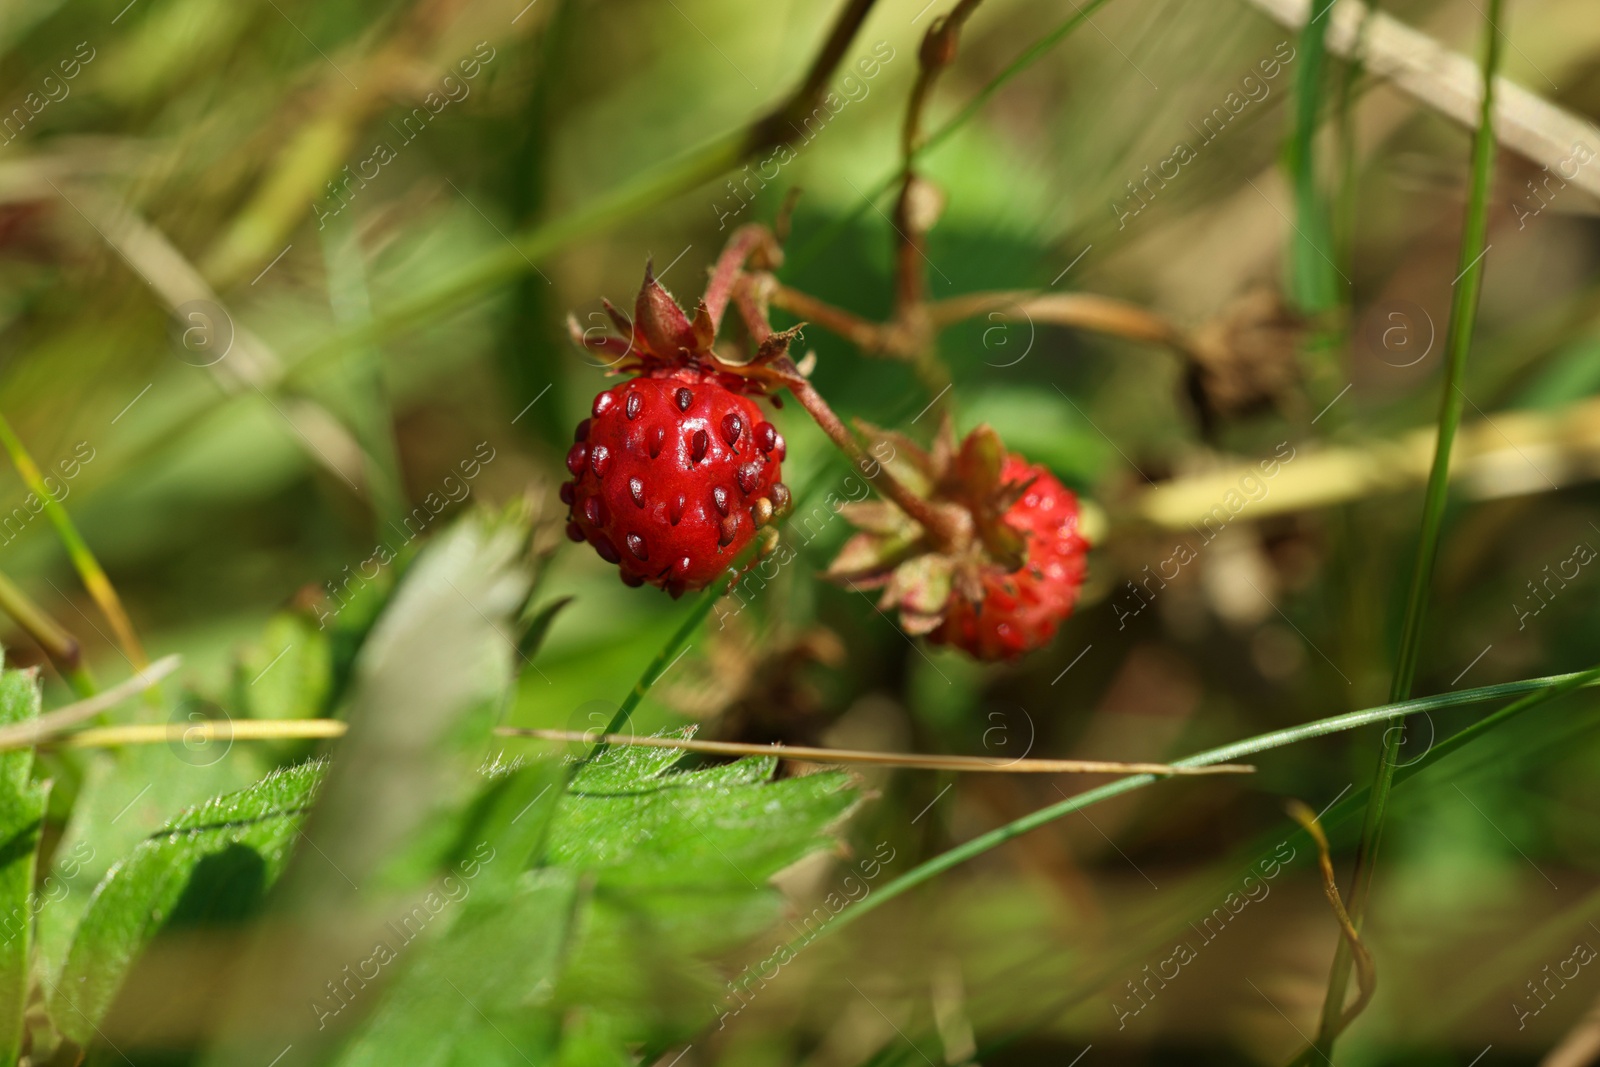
column 1463, row 314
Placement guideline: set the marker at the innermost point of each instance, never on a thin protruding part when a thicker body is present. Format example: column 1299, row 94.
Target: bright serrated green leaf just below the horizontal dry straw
column 681, row 865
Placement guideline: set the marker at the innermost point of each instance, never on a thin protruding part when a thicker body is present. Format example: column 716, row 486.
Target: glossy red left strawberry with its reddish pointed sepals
column 676, row 470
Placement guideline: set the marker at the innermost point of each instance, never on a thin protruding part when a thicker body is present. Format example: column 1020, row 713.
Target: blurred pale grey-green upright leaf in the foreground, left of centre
column 426, row 692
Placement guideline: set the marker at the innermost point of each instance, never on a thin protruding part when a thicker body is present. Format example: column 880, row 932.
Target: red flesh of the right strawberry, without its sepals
column 1020, row 612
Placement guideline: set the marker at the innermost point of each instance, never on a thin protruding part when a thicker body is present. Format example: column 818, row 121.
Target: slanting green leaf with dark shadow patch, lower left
column 212, row 866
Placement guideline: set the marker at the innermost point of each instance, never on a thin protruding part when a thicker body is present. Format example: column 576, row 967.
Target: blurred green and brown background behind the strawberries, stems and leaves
column 247, row 172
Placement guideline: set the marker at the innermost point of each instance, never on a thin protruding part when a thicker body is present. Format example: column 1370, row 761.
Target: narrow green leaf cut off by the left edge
column 22, row 812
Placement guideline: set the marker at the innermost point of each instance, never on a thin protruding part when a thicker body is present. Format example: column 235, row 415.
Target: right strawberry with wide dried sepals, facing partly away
column 1006, row 572
